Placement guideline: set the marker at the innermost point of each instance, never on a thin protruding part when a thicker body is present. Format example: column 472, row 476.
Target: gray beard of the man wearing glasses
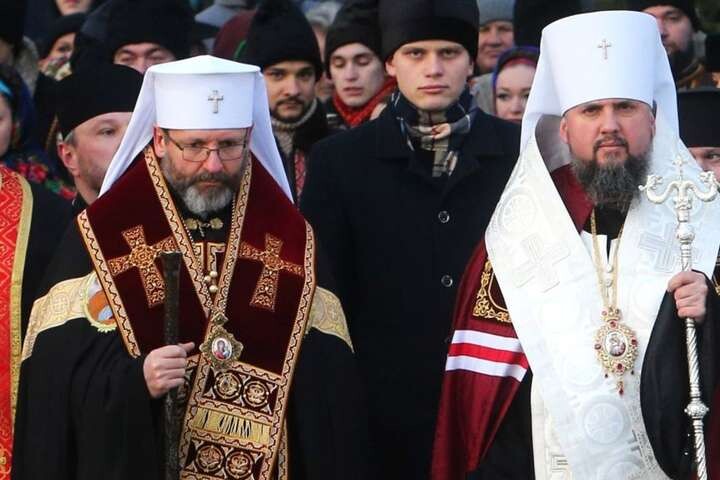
column 201, row 203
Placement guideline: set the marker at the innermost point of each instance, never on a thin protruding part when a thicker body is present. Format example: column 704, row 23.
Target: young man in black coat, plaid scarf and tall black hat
column 398, row 204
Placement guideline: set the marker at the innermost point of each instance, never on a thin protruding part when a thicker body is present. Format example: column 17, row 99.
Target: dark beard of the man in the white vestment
column 613, row 186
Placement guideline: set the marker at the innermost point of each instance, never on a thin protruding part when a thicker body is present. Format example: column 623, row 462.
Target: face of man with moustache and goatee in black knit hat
column 291, row 89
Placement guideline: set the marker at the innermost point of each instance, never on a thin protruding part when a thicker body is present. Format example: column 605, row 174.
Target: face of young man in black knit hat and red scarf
column 357, row 72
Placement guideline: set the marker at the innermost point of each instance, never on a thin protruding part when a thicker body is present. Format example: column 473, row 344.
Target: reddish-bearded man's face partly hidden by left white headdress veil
column 88, row 155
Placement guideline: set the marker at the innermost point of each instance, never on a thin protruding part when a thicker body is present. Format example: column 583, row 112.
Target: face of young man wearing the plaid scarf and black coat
column 431, row 73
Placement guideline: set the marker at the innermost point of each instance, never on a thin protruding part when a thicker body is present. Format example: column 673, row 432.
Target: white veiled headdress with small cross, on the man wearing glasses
column 201, row 93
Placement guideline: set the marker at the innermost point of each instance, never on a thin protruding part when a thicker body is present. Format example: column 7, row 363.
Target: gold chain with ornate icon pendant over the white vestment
column 616, row 344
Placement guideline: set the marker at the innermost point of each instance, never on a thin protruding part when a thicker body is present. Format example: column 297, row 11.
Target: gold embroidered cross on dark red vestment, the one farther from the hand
column 266, row 289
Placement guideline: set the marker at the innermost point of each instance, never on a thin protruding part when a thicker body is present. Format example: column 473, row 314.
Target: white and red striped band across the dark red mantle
column 485, row 353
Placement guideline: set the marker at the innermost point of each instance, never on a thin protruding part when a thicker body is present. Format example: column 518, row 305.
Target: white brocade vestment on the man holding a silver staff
column 582, row 427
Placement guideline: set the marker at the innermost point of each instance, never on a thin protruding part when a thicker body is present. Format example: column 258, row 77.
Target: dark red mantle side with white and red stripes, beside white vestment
column 483, row 372
